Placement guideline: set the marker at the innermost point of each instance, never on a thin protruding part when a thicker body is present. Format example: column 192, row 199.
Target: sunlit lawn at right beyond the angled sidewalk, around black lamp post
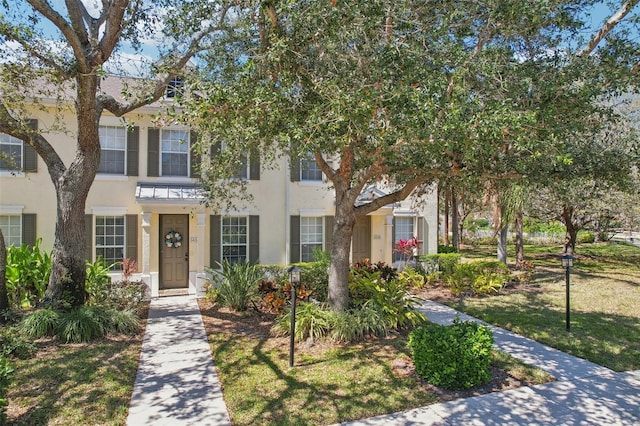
column 605, row 295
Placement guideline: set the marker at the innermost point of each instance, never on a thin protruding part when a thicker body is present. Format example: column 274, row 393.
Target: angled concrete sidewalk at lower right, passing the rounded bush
column 584, row 394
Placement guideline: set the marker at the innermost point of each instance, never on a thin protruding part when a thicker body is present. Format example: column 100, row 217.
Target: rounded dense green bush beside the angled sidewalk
column 453, row 357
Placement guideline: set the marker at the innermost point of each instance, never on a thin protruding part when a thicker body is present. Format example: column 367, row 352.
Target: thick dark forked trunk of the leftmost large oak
column 66, row 288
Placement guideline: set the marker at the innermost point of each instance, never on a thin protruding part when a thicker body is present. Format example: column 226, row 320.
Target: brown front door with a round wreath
column 174, row 251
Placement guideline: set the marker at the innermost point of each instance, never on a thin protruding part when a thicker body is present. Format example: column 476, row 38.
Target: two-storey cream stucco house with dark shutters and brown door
column 145, row 204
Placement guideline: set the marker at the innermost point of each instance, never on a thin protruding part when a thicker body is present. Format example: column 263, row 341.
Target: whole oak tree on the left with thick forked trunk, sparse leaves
column 62, row 50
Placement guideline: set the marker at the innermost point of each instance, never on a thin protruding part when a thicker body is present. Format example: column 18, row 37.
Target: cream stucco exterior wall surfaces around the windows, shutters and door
column 276, row 198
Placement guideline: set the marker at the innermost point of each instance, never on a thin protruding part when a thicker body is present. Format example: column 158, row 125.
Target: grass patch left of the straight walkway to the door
column 79, row 384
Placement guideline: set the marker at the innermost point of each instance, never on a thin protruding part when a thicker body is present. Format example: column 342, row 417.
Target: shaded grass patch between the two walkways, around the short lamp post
column 330, row 383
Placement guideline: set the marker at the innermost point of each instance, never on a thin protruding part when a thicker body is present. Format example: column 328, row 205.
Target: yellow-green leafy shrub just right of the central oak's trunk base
column 391, row 299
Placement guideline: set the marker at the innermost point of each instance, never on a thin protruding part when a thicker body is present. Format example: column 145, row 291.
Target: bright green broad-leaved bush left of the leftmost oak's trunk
column 27, row 274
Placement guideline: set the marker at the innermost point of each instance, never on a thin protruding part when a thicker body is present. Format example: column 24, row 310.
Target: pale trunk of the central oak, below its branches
column 344, row 222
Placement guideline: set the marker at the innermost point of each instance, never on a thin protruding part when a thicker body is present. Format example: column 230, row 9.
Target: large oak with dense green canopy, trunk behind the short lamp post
column 398, row 93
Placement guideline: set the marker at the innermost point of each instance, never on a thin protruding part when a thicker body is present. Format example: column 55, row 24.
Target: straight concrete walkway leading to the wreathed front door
column 176, row 382
